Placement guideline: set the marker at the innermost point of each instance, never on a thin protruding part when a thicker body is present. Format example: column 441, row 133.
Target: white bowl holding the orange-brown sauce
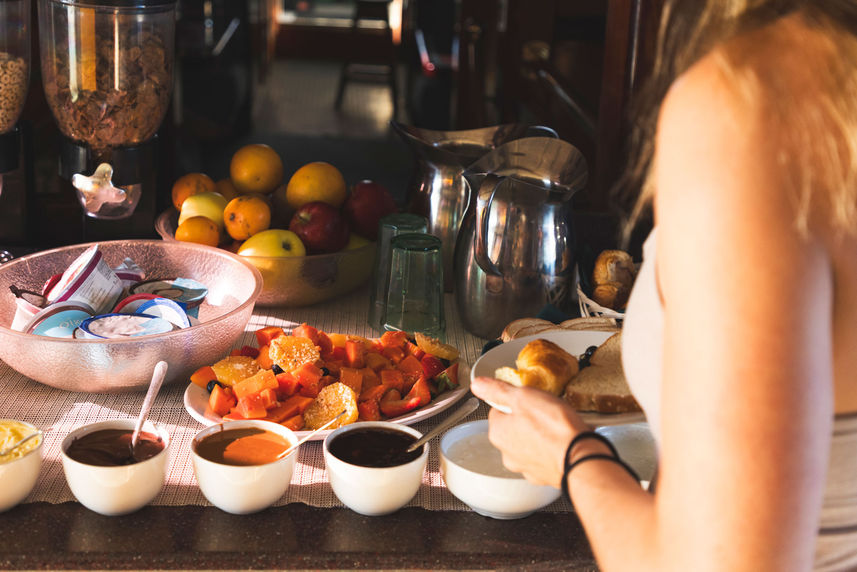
column 244, row 489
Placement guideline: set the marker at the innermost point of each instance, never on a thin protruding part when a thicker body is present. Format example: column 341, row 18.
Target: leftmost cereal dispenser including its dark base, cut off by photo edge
column 14, row 81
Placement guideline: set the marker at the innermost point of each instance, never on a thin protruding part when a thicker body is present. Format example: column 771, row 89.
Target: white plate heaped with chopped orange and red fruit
column 305, row 378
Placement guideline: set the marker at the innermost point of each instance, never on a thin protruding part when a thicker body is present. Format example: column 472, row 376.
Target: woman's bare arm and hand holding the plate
column 746, row 400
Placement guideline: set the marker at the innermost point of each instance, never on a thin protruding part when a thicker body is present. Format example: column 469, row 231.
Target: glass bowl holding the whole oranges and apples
column 295, row 281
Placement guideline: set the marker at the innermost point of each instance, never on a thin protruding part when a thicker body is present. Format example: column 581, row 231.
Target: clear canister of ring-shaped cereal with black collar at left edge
column 14, row 78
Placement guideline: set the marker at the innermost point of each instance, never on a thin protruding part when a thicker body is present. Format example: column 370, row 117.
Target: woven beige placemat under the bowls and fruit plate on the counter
column 60, row 412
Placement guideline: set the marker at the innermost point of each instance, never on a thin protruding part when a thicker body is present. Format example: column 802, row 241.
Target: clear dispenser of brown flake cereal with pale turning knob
column 107, row 70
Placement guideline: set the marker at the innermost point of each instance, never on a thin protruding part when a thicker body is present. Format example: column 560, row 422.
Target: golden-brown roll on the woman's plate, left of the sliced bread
column 541, row 364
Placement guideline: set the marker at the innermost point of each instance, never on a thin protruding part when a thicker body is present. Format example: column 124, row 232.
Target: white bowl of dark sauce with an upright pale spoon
column 116, row 490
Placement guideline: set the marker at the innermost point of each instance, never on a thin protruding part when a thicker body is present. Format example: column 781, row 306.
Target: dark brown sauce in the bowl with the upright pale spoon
column 112, row 448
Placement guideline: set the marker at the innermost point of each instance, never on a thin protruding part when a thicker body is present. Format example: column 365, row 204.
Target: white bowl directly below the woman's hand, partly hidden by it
column 502, row 497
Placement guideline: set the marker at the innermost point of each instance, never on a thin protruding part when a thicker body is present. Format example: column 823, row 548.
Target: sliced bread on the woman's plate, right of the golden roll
column 602, row 387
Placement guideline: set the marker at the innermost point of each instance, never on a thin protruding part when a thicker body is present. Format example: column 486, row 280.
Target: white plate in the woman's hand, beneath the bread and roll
column 574, row 342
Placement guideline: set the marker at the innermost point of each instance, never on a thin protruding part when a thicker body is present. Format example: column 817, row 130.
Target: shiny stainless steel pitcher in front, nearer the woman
column 515, row 249
